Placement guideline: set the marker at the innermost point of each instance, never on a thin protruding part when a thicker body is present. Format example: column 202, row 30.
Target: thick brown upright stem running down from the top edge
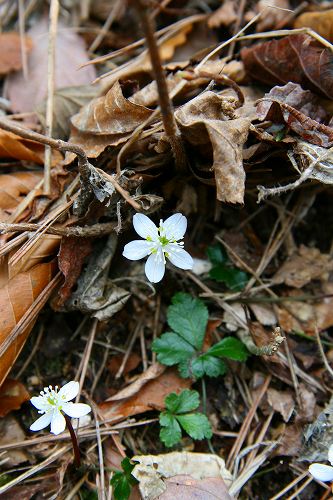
column 168, row 118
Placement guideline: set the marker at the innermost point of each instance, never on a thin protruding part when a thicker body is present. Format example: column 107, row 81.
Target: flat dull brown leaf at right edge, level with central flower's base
column 304, row 266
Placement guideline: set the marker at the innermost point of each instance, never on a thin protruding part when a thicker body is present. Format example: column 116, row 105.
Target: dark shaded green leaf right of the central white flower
column 224, row 271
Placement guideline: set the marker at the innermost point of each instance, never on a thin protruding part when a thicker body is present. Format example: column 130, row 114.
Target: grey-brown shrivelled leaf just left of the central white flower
column 95, row 293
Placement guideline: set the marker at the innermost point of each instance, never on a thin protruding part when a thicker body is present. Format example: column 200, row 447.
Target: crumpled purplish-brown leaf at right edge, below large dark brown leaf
column 296, row 108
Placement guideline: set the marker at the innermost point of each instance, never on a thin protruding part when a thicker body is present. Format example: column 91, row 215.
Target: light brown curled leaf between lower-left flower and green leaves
column 143, row 395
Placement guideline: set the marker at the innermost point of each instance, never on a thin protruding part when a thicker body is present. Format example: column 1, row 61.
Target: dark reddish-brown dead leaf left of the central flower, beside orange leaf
column 72, row 254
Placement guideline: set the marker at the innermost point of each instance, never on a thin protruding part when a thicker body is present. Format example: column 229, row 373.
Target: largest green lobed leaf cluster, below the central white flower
column 188, row 317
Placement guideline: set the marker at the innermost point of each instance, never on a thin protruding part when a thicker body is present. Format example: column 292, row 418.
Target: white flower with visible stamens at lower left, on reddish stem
column 52, row 402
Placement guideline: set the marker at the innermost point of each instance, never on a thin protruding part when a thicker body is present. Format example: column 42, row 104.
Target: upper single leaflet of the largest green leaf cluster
column 188, row 317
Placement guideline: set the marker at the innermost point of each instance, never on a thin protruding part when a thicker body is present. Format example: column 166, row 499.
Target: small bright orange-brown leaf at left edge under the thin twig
column 13, row 146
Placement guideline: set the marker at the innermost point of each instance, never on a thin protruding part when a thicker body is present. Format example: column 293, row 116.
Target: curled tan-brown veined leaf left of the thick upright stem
column 106, row 120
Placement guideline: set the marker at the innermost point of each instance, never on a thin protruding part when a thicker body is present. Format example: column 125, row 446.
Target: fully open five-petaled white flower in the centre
column 159, row 243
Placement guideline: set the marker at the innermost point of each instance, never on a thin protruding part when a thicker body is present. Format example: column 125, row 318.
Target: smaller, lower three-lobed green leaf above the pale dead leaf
column 179, row 415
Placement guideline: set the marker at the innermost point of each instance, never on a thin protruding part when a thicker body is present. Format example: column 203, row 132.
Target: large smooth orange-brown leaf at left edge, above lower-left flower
column 20, row 301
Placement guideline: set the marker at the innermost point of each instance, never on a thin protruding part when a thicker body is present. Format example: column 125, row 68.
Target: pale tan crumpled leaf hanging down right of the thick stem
column 202, row 121
